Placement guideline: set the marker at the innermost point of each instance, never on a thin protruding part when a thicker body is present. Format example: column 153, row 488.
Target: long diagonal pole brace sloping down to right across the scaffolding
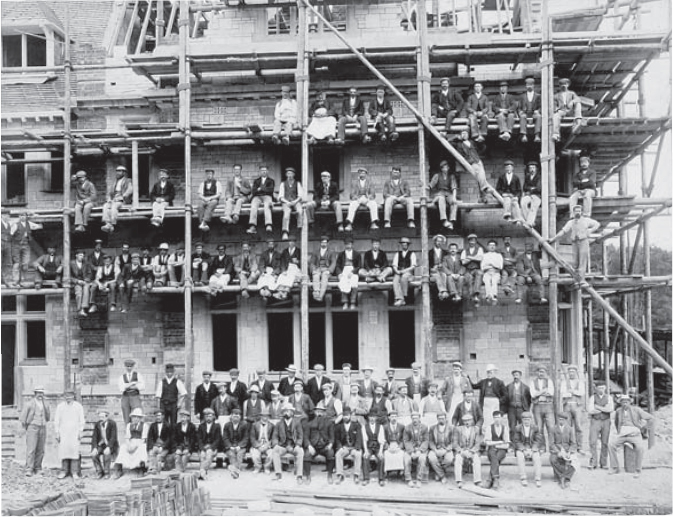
column 644, row 345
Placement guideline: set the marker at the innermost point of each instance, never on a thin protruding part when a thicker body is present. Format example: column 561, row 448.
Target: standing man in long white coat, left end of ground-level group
column 69, row 425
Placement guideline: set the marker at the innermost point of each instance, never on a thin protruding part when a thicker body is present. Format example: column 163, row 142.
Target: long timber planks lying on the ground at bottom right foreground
column 457, row 503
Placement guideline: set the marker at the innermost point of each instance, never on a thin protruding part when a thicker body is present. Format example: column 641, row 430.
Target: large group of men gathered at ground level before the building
column 380, row 426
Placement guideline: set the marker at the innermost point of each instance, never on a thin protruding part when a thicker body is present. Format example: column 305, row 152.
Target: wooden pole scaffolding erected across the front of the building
column 610, row 65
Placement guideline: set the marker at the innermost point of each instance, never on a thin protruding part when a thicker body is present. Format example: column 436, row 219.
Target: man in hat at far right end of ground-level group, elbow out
column 630, row 421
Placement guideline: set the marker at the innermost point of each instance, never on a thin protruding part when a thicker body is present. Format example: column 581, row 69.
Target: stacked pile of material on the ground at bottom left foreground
column 164, row 494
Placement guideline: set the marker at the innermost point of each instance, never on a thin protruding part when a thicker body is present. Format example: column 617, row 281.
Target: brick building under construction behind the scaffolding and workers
column 191, row 85
